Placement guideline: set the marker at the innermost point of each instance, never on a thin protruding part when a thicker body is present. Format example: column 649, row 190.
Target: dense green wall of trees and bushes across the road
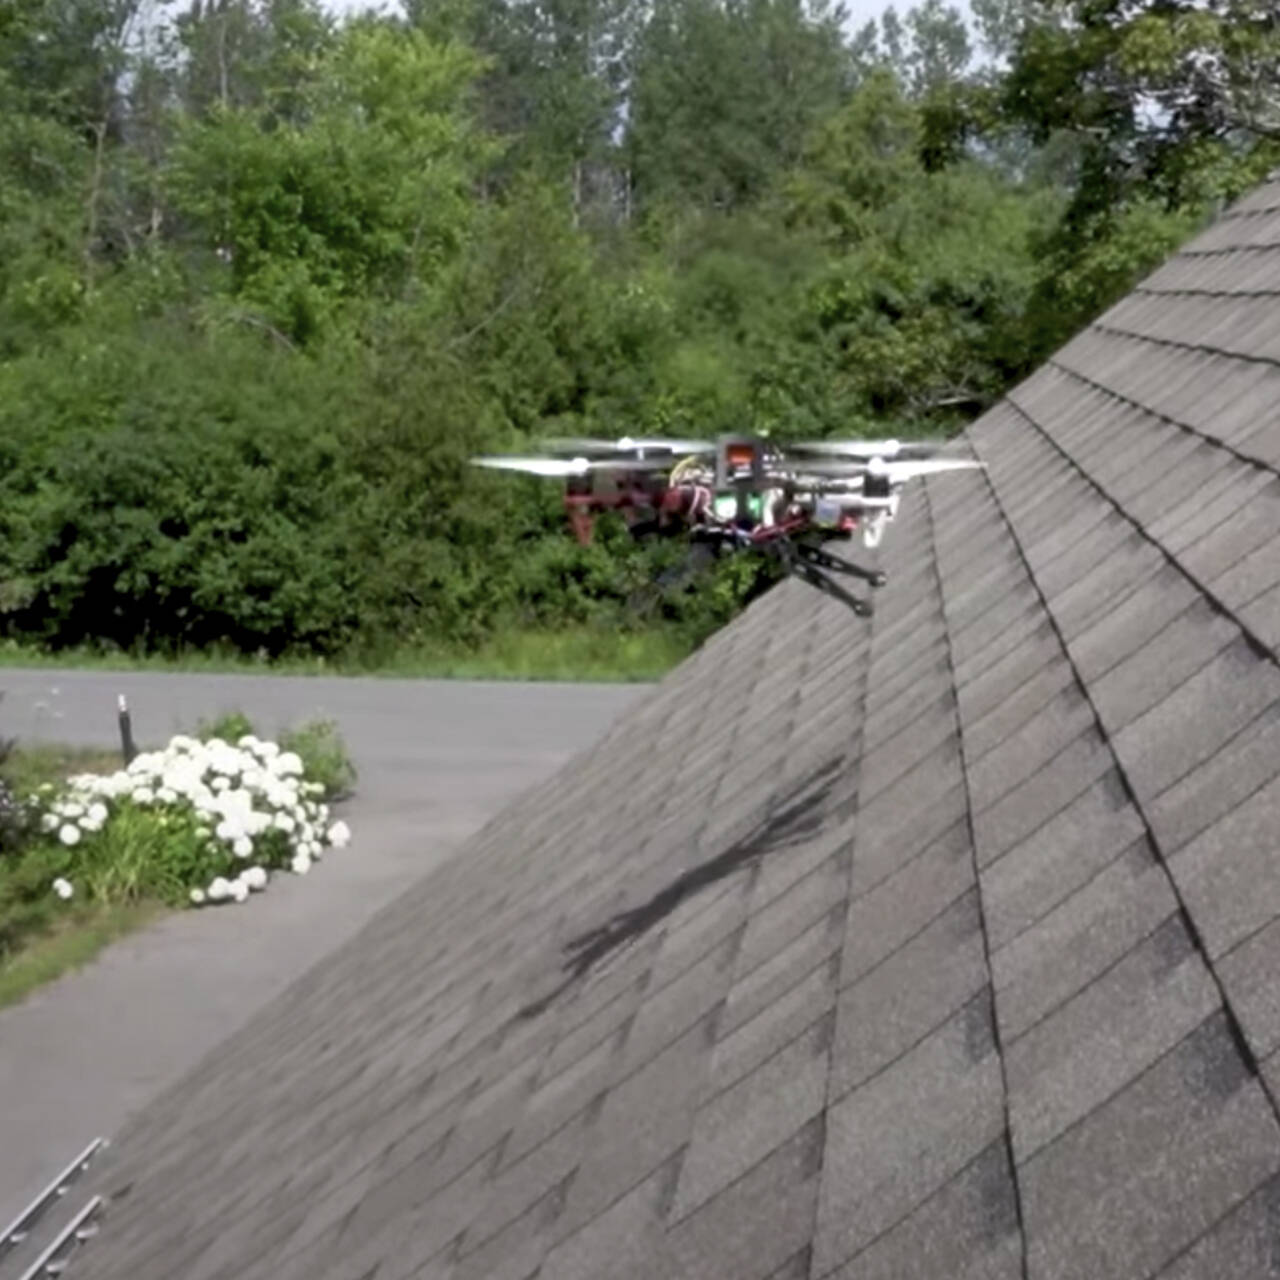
column 268, row 280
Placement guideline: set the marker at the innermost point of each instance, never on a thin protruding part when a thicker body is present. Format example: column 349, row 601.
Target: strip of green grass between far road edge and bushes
column 582, row 655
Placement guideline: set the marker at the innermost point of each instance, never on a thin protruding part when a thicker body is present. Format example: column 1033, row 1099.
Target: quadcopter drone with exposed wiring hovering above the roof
column 743, row 493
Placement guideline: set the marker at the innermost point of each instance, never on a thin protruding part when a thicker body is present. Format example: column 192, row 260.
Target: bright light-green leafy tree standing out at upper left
column 369, row 194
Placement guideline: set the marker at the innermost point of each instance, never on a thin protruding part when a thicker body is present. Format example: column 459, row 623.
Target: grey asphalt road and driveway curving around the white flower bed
column 436, row 761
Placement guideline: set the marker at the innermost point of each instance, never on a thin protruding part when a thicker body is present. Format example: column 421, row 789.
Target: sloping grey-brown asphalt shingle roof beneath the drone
column 944, row 945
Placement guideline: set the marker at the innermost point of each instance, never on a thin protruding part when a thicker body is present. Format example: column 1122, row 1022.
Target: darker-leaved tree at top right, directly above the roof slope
column 1168, row 115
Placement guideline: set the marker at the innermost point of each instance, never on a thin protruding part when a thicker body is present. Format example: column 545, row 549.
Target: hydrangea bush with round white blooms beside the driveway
column 199, row 821
